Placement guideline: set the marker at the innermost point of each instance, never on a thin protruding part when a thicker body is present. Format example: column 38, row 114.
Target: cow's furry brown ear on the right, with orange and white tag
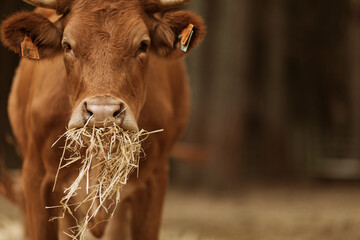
column 165, row 35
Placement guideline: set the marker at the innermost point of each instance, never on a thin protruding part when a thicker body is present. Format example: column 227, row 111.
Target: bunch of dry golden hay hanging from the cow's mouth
column 107, row 156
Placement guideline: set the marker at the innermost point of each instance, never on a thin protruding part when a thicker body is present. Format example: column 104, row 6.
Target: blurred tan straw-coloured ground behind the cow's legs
column 298, row 212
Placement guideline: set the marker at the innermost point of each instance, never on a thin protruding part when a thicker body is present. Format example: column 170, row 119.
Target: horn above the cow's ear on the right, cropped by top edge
column 153, row 6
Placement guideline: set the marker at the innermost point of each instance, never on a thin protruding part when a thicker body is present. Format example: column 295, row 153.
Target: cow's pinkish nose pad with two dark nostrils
column 98, row 113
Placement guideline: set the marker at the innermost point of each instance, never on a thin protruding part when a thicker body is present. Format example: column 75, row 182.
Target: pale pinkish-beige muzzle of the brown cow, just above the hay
column 102, row 111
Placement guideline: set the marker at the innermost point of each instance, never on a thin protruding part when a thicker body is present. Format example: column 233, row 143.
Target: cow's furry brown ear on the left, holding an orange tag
column 43, row 33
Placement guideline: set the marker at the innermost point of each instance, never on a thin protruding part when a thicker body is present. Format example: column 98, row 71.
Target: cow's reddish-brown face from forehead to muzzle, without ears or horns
column 106, row 53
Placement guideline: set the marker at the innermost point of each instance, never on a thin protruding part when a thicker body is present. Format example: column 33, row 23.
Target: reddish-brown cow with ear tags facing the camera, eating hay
column 108, row 59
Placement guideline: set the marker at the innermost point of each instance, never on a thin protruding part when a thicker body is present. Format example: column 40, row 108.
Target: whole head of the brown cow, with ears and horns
column 106, row 46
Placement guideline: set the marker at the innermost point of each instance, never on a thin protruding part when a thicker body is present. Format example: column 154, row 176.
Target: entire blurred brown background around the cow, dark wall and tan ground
column 275, row 117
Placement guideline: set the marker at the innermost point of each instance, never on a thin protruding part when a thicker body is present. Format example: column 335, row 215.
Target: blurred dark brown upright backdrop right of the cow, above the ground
column 275, row 91
